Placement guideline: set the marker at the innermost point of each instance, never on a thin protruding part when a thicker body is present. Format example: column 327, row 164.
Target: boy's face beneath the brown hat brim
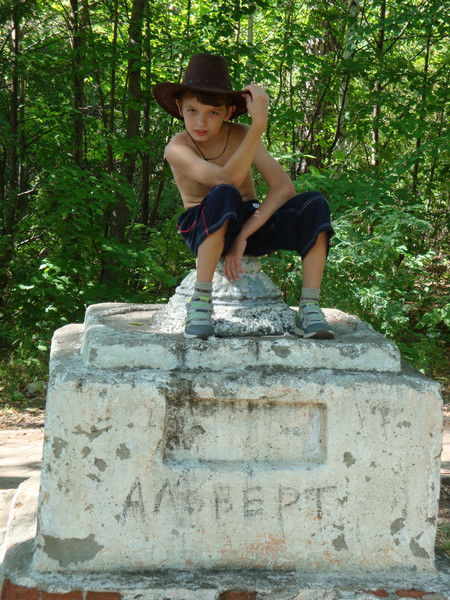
column 203, row 121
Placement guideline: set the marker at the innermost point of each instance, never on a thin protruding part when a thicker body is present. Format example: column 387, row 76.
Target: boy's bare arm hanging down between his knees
column 280, row 191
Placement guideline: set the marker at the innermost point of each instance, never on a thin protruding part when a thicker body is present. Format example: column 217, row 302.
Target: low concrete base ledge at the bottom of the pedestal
column 207, row 585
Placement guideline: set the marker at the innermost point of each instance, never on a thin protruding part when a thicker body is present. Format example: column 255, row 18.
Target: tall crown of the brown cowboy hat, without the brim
column 208, row 70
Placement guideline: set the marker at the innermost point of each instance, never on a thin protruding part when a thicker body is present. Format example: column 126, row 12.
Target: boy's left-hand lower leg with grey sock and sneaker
column 199, row 307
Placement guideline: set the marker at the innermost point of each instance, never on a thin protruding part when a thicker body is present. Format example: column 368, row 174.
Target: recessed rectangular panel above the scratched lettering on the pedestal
column 233, row 434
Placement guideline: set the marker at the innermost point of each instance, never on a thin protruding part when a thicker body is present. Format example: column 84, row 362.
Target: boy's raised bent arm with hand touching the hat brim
column 235, row 170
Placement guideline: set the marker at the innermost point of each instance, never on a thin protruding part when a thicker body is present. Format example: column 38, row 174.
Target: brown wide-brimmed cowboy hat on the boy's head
column 205, row 73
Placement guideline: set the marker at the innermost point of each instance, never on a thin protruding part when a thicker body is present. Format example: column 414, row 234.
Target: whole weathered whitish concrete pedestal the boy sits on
column 254, row 450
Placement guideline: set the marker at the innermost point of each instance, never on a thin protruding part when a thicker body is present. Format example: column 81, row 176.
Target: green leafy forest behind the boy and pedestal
column 88, row 206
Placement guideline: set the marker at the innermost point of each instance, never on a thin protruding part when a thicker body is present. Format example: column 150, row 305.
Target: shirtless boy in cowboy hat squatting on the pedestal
column 211, row 162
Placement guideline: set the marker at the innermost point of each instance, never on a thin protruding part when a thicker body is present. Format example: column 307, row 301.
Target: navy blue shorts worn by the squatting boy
column 294, row 226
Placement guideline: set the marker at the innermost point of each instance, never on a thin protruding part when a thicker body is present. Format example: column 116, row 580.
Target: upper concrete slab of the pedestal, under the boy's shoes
column 118, row 335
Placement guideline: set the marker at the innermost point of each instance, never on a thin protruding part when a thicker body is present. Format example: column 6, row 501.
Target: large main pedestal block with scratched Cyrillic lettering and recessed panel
column 147, row 469
